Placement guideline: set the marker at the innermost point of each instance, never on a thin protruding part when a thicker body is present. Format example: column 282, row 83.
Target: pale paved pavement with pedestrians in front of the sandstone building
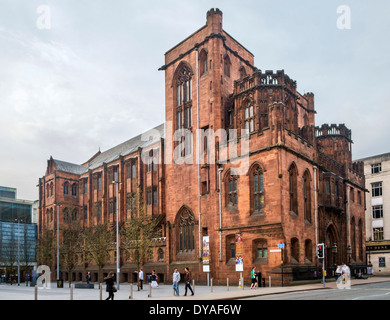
column 164, row 292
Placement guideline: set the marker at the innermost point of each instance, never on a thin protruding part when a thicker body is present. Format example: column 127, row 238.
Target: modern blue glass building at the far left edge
column 18, row 236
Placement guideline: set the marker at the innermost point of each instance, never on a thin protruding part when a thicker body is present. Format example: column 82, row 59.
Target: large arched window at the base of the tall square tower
column 186, row 230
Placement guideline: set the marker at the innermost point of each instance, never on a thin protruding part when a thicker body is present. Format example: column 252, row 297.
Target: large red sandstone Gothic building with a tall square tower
column 295, row 185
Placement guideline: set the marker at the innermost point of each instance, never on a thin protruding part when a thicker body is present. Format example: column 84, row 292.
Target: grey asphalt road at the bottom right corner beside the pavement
column 372, row 291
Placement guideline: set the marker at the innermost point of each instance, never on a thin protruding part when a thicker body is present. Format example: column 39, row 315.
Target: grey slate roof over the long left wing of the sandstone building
column 123, row 149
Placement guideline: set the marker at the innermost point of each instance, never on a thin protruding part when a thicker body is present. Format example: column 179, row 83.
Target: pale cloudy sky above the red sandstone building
column 92, row 79
